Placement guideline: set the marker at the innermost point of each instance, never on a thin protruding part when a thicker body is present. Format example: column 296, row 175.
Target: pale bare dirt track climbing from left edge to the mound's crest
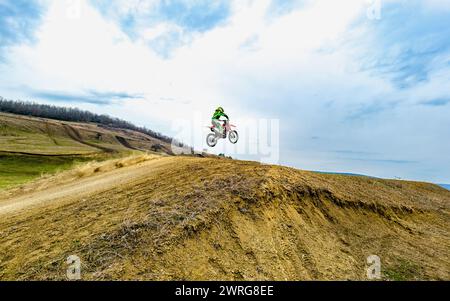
column 84, row 187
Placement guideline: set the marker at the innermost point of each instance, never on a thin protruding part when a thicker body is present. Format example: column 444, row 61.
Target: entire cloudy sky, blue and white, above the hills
column 358, row 86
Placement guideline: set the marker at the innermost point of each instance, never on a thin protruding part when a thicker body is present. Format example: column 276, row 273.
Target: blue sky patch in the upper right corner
column 407, row 43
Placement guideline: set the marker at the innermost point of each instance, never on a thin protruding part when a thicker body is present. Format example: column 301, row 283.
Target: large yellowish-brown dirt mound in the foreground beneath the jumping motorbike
column 151, row 217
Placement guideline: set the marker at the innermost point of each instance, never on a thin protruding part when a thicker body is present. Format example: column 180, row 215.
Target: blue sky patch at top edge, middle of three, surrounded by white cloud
column 190, row 17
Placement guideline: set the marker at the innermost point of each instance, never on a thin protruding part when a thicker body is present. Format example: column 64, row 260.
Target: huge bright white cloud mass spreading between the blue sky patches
column 299, row 68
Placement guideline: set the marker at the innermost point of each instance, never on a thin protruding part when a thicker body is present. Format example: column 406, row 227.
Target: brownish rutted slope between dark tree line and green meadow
column 39, row 136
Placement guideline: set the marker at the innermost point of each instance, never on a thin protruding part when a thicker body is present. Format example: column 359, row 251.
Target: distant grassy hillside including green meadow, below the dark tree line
column 31, row 147
